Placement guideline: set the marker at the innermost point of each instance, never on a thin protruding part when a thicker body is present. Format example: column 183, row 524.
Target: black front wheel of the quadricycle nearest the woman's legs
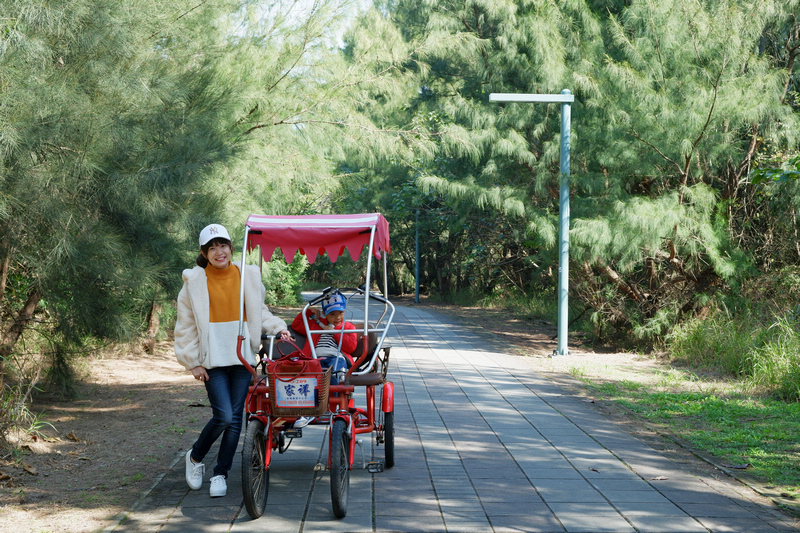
column 255, row 476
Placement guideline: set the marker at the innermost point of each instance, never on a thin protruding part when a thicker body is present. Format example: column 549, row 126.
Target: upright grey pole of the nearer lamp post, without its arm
column 563, row 232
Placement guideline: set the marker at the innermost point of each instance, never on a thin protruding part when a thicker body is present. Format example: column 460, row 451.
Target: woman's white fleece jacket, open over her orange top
column 191, row 326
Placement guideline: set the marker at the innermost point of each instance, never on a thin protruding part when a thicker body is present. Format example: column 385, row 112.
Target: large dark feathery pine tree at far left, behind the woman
column 112, row 121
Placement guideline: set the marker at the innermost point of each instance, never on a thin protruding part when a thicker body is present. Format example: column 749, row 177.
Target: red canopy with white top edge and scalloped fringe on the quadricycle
column 315, row 235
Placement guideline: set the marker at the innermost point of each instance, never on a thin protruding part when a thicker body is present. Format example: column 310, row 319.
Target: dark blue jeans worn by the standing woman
column 227, row 390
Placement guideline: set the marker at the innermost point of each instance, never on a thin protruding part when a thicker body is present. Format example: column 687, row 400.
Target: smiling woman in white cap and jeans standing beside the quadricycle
column 206, row 333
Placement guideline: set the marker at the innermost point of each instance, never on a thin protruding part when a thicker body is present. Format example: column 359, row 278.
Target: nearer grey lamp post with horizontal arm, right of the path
column 565, row 99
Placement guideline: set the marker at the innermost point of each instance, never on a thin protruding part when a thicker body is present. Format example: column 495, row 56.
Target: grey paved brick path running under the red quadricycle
column 482, row 444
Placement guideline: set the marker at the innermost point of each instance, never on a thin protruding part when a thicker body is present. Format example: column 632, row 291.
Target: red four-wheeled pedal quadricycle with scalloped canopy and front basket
column 288, row 385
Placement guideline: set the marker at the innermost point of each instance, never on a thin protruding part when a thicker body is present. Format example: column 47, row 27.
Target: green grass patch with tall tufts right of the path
column 758, row 422
